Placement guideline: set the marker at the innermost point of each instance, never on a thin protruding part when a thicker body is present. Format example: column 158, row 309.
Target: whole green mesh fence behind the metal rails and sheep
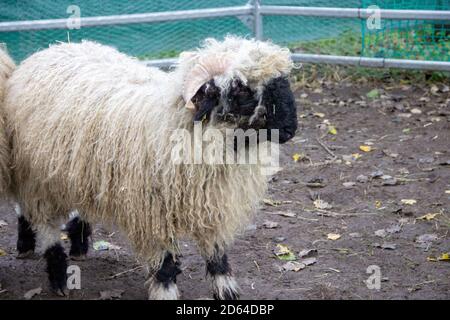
column 396, row 39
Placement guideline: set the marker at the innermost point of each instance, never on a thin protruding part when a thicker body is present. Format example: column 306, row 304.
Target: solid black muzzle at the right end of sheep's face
column 281, row 109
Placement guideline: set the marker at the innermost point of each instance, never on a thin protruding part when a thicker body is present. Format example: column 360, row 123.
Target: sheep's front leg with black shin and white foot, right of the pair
column 223, row 282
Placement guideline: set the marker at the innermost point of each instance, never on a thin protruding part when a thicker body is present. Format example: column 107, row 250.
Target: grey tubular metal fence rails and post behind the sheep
column 253, row 14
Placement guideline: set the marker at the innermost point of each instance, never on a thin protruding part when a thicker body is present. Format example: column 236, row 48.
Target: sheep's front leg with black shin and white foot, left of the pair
column 163, row 284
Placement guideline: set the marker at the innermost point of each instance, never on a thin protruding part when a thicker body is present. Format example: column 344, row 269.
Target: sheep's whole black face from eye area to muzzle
column 240, row 106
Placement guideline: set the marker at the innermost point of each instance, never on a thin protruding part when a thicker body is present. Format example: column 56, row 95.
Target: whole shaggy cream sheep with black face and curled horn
column 92, row 129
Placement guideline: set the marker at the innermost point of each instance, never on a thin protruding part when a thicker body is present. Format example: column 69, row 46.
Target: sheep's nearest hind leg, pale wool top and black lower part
column 55, row 256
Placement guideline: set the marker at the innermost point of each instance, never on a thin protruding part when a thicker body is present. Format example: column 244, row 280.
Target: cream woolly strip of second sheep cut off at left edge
column 7, row 67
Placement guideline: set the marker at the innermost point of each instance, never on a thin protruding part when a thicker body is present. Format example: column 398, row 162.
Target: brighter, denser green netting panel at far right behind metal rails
column 408, row 39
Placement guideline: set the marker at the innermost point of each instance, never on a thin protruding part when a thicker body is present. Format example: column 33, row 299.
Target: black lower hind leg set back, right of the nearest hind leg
column 78, row 232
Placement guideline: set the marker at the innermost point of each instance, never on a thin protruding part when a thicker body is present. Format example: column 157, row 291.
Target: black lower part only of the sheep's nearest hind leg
column 57, row 268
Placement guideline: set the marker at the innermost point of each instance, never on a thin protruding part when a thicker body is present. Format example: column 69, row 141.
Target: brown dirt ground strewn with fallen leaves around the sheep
column 406, row 128
